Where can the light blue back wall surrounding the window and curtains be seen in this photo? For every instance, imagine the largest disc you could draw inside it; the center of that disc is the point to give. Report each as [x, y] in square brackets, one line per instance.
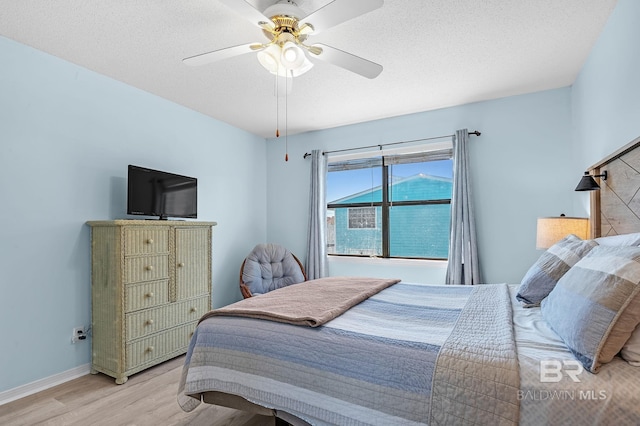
[518, 173]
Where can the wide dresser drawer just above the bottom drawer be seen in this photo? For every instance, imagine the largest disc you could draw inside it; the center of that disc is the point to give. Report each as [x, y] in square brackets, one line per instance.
[149, 321]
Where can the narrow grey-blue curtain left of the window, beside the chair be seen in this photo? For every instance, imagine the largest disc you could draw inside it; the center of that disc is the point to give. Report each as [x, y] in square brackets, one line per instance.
[316, 265]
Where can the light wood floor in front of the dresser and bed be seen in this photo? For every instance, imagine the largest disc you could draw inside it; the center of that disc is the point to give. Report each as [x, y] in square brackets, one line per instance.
[148, 398]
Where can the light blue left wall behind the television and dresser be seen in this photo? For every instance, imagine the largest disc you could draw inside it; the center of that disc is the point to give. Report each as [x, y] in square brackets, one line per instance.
[67, 135]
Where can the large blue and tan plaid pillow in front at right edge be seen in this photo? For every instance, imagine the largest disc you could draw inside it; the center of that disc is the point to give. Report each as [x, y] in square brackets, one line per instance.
[595, 306]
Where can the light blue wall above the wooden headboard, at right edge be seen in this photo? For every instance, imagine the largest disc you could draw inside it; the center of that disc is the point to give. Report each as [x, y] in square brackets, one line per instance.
[606, 95]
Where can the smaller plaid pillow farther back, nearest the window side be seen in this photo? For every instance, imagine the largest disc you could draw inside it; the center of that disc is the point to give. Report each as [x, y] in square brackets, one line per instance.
[550, 267]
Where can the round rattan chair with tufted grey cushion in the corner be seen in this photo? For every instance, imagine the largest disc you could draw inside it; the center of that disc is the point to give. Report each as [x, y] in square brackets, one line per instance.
[269, 267]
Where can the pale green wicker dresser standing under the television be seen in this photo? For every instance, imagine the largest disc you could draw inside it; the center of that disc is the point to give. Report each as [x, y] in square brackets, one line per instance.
[151, 283]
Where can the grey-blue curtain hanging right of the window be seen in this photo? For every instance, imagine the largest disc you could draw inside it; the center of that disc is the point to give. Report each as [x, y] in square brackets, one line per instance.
[463, 265]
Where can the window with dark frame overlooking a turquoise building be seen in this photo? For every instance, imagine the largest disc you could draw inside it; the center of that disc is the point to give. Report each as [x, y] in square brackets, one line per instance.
[390, 206]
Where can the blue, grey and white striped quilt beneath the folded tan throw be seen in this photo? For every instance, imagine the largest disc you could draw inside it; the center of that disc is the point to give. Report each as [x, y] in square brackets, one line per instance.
[409, 355]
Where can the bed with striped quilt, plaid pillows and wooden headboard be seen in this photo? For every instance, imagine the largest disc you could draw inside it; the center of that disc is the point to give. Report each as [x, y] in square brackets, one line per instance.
[386, 352]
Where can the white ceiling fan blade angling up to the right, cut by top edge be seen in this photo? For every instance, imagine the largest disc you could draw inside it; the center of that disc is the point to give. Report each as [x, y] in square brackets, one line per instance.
[339, 11]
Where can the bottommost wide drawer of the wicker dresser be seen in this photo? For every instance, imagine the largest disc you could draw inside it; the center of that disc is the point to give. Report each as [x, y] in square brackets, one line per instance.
[145, 350]
